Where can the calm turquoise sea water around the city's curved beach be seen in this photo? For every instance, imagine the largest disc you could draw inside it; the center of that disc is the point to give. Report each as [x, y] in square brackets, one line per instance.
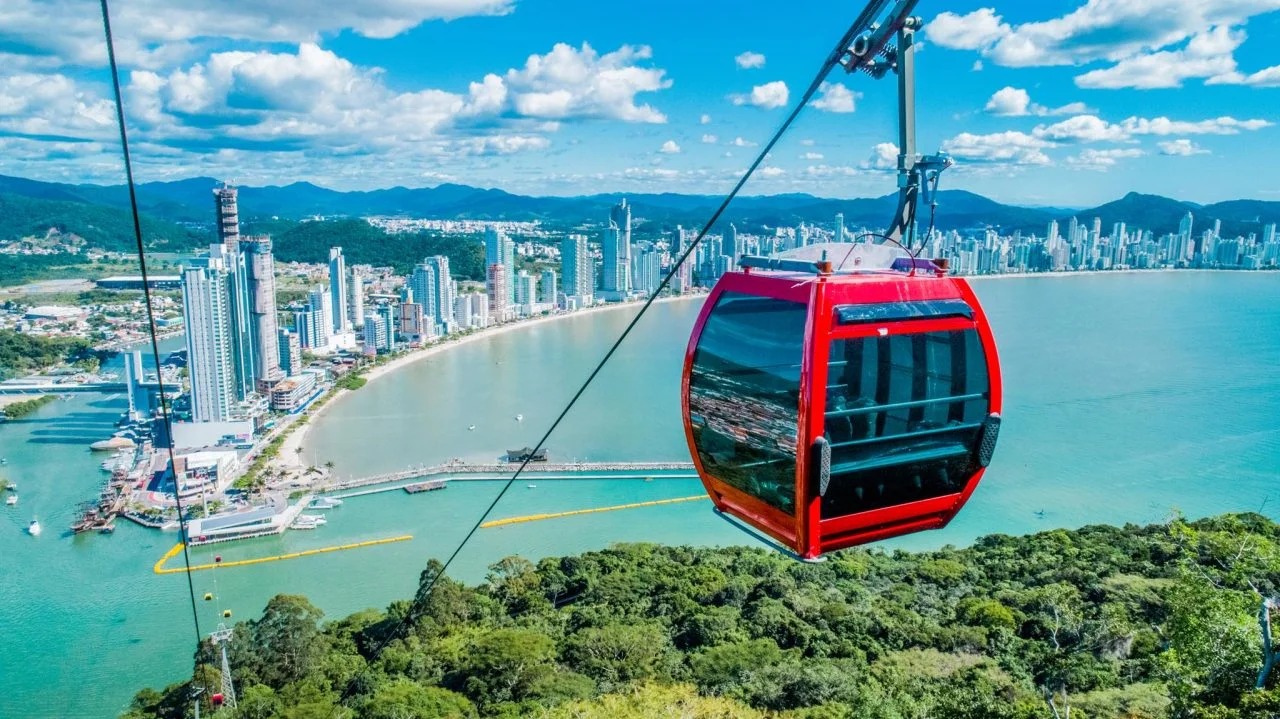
[1128, 397]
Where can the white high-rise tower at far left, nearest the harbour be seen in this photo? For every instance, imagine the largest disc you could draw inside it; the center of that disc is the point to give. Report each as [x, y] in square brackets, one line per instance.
[211, 359]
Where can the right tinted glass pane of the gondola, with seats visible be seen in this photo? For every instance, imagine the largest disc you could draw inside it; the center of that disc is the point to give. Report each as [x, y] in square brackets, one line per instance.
[904, 415]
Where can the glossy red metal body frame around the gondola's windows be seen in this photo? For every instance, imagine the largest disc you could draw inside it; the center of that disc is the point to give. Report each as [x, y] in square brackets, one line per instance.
[807, 533]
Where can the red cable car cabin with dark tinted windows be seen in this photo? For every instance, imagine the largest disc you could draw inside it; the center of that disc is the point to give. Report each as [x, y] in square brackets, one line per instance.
[831, 409]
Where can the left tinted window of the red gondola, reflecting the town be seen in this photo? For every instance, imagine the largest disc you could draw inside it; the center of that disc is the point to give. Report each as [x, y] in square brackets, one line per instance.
[744, 395]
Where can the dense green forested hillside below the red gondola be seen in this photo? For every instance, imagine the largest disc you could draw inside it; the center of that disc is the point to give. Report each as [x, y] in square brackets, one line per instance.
[1159, 621]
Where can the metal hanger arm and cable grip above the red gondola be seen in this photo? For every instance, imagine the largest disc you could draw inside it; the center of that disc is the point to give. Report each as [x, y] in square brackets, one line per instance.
[874, 54]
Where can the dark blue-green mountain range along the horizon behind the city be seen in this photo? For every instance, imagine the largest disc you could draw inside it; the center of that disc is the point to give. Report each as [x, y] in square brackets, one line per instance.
[190, 203]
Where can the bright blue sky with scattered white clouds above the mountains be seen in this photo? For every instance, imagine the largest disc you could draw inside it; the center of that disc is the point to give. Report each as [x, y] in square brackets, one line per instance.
[1067, 103]
